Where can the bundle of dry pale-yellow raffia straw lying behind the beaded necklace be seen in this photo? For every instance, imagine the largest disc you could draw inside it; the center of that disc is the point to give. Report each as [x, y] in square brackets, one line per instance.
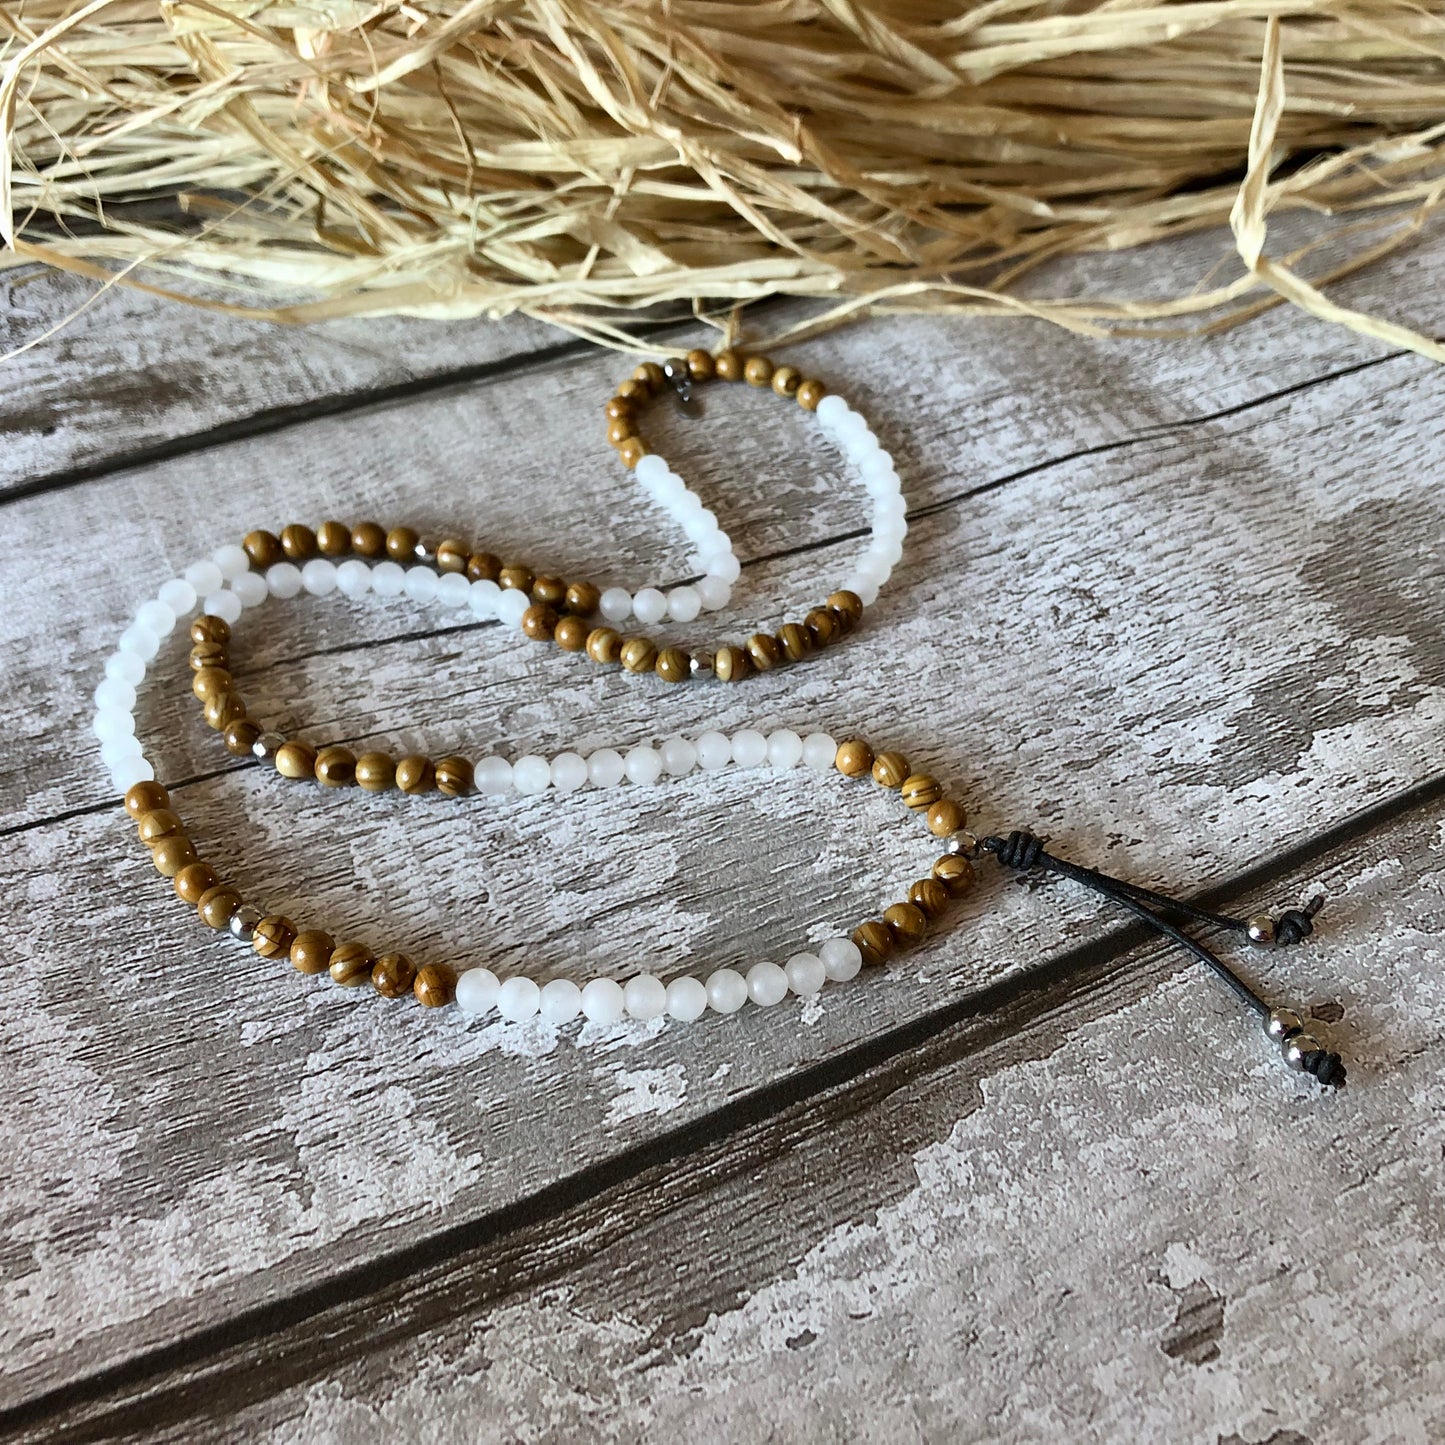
[585, 160]
